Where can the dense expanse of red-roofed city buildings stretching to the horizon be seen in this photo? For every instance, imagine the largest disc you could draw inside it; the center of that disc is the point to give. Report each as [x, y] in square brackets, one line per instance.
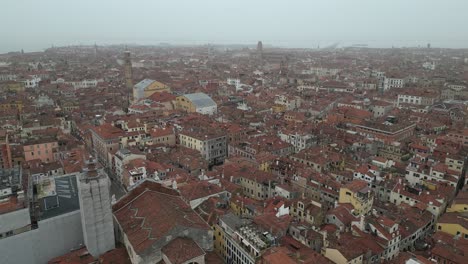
[240, 155]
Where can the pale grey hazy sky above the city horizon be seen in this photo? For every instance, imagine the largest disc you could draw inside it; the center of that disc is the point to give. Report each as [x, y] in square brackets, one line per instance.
[37, 24]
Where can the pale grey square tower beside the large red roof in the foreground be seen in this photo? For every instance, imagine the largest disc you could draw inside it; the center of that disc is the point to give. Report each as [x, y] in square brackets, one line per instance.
[96, 212]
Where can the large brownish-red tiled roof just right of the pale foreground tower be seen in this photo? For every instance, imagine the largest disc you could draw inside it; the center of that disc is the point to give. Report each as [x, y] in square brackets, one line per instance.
[150, 211]
